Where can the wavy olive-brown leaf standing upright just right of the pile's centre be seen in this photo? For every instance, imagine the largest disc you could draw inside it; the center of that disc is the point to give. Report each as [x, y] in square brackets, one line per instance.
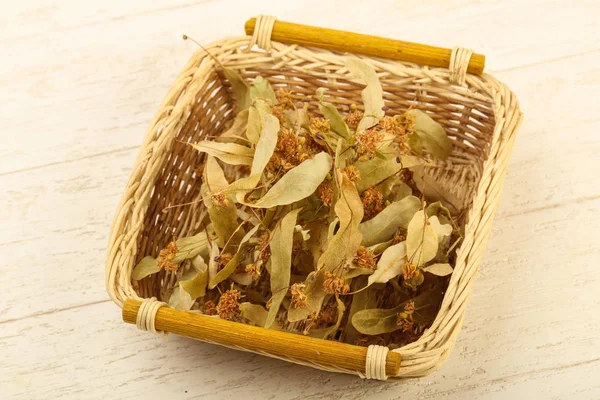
[344, 244]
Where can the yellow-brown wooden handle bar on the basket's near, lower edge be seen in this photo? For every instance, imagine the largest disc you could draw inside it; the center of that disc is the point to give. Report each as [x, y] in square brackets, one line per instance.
[304, 349]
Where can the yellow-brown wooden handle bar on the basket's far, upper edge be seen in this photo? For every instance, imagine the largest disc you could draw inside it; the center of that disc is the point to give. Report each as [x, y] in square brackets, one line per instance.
[331, 39]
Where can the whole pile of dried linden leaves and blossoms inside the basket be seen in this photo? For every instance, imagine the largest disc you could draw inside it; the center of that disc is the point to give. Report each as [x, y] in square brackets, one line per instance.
[313, 221]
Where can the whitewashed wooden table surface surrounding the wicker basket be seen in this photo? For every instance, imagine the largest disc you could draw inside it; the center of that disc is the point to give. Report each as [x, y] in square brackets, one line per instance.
[80, 81]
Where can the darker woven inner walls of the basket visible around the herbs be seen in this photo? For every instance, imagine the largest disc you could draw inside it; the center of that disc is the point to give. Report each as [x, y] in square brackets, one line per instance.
[466, 115]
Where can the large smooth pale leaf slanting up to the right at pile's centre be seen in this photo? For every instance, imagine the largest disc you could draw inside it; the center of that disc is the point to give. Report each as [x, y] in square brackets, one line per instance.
[298, 183]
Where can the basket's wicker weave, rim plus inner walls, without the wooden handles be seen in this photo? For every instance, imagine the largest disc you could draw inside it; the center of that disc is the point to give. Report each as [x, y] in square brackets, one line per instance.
[483, 118]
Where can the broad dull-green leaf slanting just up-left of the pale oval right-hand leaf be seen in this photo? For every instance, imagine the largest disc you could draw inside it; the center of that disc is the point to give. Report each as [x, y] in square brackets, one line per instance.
[385, 224]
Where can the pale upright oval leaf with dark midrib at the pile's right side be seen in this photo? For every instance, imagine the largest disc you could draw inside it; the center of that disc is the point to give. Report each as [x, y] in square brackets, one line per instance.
[421, 240]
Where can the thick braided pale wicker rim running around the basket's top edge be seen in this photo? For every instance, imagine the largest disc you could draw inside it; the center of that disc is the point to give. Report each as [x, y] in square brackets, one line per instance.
[431, 349]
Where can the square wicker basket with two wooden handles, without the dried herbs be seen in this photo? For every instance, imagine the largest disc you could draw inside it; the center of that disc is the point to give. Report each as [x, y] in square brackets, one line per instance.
[480, 115]
